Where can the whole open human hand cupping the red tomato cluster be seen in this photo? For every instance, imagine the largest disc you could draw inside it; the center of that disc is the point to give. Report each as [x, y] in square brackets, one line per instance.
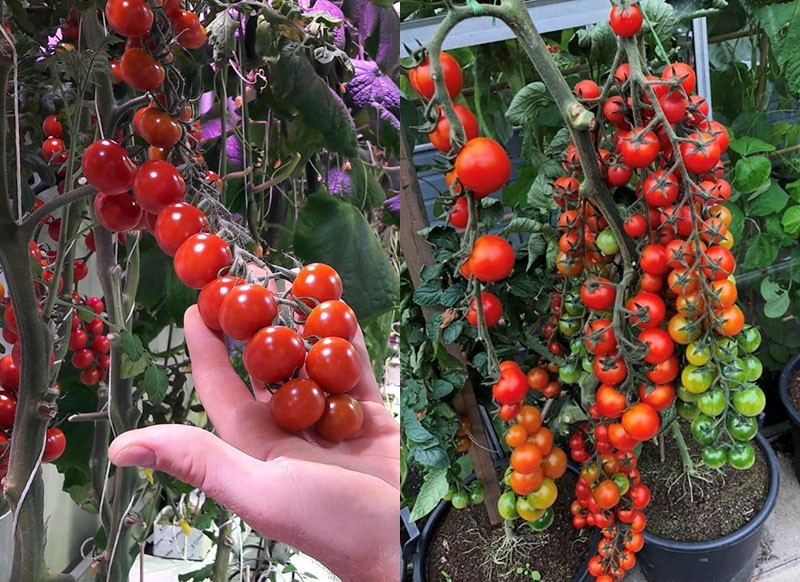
[337, 502]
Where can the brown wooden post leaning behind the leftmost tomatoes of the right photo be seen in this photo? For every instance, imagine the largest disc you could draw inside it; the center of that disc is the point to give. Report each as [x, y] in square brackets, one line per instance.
[417, 254]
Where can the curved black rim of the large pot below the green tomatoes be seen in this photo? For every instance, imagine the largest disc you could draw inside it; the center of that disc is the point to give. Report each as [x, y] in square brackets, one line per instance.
[741, 534]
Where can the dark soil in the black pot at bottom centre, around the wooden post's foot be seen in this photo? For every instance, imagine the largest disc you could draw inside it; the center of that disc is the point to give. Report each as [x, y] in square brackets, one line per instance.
[462, 540]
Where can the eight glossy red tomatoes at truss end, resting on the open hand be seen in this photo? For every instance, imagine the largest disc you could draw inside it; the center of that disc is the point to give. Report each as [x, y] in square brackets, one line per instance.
[274, 354]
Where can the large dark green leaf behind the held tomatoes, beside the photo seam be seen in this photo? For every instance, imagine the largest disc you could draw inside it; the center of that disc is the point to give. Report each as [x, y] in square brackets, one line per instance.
[371, 283]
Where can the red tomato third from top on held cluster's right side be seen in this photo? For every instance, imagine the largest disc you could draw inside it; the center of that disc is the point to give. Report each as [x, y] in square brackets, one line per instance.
[333, 363]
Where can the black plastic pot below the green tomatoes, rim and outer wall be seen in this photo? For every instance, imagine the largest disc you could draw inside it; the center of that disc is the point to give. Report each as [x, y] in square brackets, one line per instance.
[729, 559]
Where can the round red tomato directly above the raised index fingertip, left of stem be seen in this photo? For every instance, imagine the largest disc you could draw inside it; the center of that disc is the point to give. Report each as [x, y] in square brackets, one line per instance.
[200, 259]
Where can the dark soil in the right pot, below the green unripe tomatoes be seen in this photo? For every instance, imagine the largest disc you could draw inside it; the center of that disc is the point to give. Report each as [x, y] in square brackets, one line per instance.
[717, 503]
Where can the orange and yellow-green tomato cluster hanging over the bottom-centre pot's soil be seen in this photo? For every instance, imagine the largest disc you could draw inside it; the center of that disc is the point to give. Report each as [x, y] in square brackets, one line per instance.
[535, 464]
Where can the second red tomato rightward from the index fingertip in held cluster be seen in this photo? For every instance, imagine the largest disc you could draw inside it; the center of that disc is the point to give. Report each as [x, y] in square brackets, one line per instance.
[245, 309]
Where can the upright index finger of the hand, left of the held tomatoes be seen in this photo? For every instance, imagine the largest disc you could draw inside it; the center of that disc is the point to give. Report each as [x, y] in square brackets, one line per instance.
[217, 383]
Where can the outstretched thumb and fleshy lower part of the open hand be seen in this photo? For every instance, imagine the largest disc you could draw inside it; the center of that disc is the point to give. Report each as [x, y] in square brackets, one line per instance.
[300, 503]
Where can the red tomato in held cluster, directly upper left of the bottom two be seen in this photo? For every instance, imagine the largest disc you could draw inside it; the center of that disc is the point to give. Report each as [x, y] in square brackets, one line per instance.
[274, 354]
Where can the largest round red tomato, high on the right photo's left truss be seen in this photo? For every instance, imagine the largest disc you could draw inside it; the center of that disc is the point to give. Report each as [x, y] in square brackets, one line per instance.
[482, 166]
